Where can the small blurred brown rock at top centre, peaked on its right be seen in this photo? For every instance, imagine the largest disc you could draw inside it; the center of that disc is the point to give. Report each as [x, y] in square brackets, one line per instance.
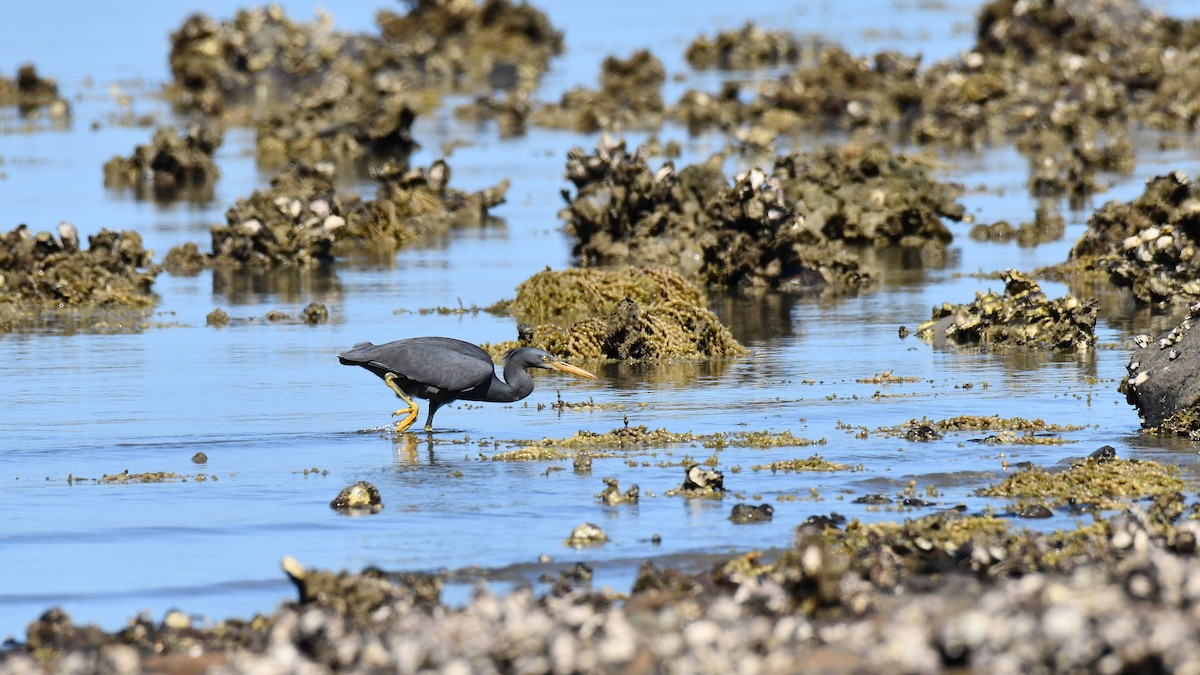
[631, 97]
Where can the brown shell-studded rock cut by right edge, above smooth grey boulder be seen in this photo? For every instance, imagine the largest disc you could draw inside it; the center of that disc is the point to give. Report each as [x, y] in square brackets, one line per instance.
[1149, 244]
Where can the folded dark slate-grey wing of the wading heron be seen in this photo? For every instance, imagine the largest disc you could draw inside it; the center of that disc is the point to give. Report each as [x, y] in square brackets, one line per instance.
[446, 363]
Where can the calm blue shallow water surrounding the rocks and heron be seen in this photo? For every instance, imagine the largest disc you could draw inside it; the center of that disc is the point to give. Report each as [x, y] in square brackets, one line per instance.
[286, 428]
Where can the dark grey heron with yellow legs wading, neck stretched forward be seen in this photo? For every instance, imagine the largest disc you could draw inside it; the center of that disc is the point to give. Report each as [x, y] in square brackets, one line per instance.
[443, 369]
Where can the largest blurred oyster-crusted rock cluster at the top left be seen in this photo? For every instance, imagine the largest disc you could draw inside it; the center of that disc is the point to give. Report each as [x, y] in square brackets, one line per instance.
[319, 94]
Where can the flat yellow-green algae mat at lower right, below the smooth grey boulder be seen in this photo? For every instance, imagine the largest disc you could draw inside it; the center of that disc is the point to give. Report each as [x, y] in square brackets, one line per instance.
[1105, 482]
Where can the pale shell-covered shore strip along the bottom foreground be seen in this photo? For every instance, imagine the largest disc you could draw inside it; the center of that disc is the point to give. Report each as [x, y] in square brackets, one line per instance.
[945, 593]
